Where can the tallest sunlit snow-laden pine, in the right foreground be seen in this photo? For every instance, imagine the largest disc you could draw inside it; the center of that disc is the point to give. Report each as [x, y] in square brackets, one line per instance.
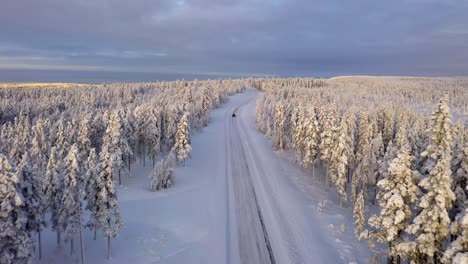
[431, 225]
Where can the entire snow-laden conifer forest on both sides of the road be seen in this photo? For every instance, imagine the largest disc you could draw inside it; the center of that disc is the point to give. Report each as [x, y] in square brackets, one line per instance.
[392, 150]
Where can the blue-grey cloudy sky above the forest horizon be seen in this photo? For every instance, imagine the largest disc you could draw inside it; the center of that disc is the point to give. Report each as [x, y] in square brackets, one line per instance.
[227, 37]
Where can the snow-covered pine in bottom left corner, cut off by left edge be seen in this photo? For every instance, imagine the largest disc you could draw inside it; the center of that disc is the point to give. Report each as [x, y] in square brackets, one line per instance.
[16, 245]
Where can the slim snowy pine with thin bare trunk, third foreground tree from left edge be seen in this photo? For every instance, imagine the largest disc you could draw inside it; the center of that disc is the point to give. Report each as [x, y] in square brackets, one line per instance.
[53, 189]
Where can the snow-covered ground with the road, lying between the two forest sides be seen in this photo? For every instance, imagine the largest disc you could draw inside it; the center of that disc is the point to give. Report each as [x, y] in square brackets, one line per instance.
[235, 201]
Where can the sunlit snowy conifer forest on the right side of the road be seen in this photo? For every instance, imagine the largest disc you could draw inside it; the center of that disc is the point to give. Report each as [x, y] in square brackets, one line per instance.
[395, 150]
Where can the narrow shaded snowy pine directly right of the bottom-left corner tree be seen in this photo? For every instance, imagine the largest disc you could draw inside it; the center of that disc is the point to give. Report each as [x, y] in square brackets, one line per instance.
[30, 186]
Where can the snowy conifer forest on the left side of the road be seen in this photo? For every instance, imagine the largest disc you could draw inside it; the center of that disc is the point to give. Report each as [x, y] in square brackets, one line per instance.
[63, 149]
